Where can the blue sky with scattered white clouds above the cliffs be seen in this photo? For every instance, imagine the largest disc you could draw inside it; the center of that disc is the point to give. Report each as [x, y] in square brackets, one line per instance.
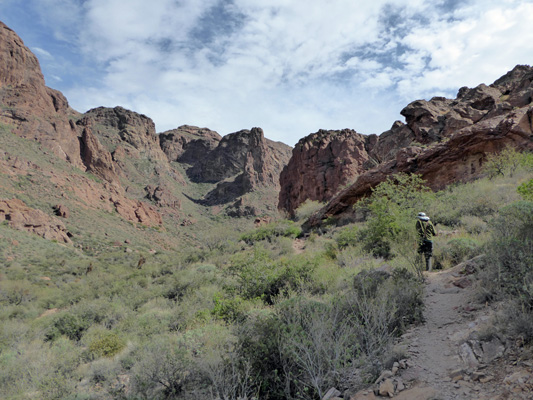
[291, 67]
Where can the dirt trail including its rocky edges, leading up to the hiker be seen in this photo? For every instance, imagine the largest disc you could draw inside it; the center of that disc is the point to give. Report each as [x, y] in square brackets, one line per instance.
[448, 358]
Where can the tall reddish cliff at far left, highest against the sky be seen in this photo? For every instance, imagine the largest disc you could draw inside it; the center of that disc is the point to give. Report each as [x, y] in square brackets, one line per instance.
[36, 111]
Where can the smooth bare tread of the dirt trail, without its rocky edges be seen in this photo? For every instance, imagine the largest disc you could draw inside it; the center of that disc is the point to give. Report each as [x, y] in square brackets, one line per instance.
[433, 347]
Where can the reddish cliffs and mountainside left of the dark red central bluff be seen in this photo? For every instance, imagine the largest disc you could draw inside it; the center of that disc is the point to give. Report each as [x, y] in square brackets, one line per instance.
[143, 176]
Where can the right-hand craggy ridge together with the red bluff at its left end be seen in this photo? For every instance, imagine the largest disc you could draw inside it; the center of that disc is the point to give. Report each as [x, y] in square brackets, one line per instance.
[444, 140]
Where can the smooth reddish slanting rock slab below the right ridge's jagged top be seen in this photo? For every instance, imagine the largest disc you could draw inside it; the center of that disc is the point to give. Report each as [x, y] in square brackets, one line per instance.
[457, 160]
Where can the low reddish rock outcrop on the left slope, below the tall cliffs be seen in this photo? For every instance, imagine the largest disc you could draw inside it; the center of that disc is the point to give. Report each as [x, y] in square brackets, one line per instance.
[24, 218]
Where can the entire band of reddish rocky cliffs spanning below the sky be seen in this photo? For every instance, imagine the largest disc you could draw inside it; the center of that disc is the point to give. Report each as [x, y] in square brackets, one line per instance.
[147, 177]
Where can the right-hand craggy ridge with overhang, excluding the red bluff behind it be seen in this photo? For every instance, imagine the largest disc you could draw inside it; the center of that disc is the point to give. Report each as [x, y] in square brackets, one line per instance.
[446, 141]
